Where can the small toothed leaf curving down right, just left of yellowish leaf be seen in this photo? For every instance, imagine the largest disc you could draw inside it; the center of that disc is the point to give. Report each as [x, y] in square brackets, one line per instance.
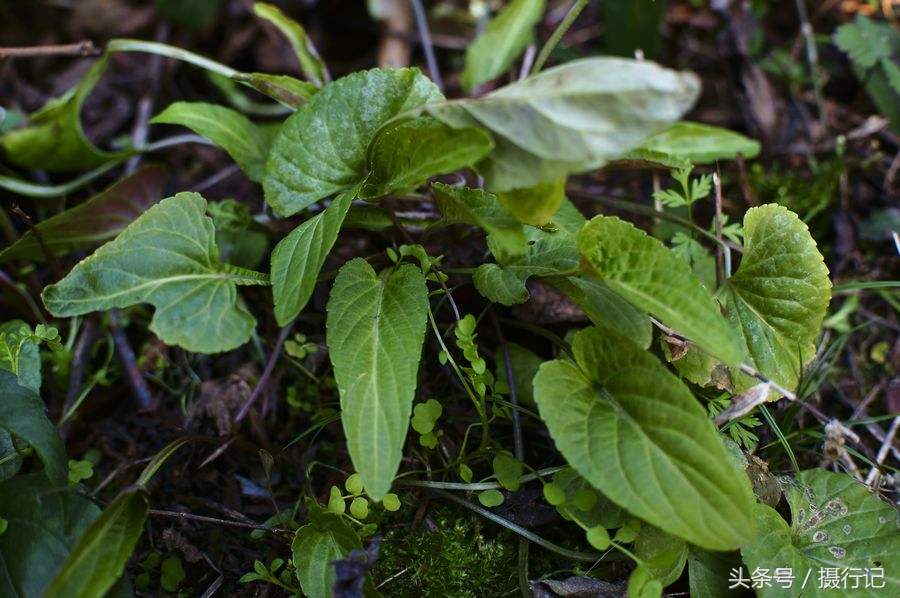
[464, 205]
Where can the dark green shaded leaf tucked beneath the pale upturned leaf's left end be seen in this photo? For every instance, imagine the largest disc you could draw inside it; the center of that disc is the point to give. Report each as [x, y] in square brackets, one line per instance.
[405, 154]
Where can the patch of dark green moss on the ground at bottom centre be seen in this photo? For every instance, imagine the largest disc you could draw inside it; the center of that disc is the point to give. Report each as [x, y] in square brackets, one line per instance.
[462, 558]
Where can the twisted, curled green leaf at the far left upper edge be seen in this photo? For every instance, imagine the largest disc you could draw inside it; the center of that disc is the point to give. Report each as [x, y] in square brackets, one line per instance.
[54, 140]
